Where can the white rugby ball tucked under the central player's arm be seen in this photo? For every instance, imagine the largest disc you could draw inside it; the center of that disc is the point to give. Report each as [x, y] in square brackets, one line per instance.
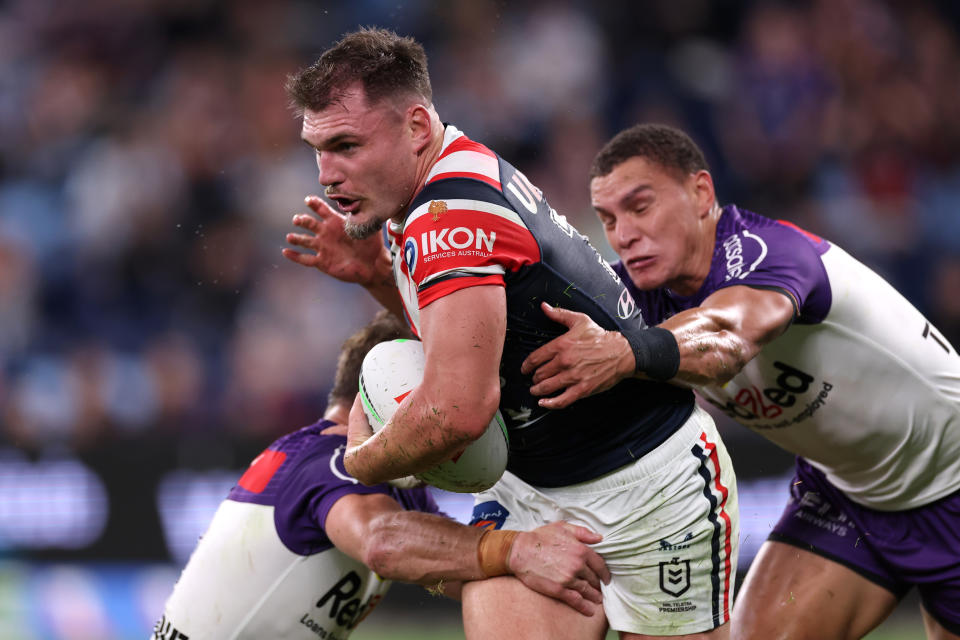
[390, 371]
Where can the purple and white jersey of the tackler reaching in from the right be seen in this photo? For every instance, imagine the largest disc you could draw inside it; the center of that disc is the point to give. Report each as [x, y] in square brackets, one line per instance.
[861, 385]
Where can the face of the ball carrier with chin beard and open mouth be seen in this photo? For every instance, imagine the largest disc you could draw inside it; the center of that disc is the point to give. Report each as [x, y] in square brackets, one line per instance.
[365, 160]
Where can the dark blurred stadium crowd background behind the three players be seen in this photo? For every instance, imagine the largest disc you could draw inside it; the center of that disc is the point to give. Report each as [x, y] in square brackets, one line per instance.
[153, 340]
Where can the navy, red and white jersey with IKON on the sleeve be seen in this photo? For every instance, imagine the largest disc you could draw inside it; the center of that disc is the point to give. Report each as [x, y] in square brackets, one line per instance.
[479, 221]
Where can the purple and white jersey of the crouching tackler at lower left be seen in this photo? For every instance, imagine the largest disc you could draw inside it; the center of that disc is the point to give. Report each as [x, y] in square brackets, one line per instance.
[265, 568]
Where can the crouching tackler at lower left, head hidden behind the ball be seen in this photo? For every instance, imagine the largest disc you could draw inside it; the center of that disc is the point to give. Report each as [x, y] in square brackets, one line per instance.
[300, 549]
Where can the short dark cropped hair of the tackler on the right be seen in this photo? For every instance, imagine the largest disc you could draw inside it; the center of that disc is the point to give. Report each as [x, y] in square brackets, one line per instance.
[666, 146]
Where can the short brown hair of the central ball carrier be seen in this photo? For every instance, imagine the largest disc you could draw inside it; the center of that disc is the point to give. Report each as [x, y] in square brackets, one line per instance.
[385, 63]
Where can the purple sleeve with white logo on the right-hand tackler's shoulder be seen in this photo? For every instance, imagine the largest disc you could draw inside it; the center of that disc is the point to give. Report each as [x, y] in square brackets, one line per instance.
[777, 256]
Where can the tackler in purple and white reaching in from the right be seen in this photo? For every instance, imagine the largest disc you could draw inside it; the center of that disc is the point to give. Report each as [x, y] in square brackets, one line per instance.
[792, 337]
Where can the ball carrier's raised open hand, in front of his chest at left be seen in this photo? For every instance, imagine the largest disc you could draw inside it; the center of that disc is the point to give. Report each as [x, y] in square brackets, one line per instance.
[331, 250]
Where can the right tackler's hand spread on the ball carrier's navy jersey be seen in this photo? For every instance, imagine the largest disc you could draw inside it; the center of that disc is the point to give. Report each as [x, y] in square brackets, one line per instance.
[583, 361]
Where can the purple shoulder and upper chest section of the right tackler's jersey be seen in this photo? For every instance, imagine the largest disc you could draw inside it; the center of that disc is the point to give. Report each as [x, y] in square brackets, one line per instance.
[758, 252]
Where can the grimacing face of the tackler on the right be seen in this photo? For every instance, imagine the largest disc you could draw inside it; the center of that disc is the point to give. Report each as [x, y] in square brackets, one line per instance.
[654, 220]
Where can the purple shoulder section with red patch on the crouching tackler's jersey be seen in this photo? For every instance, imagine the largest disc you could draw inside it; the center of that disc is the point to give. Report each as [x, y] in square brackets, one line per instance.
[302, 475]
